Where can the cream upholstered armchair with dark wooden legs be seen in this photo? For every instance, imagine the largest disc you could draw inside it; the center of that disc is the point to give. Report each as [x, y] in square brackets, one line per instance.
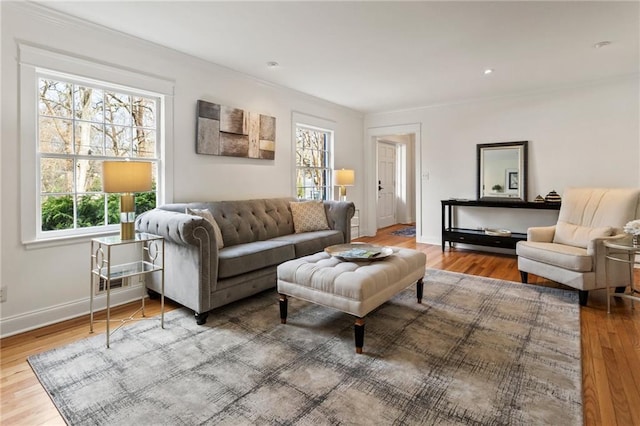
[572, 251]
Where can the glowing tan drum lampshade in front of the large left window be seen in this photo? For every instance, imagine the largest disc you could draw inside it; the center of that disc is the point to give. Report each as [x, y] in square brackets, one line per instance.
[126, 176]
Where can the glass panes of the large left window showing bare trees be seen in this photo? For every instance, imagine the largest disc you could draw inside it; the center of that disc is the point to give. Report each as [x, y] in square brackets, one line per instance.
[78, 128]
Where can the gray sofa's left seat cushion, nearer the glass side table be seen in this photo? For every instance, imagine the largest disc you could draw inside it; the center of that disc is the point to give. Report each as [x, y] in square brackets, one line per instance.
[243, 258]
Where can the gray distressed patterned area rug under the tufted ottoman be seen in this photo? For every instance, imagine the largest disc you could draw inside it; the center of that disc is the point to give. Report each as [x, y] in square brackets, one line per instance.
[477, 351]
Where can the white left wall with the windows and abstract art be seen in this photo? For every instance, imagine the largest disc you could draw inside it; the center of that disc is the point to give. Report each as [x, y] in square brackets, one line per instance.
[47, 284]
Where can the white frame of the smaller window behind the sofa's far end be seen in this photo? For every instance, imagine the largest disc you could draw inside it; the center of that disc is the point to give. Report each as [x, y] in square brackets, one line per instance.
[300, 120]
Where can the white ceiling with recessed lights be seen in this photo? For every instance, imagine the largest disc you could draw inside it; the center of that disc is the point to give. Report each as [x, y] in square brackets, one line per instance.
[383, 56]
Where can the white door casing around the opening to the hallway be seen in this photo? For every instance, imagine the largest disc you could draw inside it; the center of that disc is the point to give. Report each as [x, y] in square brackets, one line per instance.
[371, 173]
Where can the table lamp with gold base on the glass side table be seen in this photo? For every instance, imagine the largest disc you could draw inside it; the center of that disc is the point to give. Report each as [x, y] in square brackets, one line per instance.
[125, 178]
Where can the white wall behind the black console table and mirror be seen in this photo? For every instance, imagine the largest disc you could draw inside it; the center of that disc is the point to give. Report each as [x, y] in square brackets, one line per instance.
[580, 136]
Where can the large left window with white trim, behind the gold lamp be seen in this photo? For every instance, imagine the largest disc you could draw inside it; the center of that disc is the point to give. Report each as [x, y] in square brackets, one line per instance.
[76, 113]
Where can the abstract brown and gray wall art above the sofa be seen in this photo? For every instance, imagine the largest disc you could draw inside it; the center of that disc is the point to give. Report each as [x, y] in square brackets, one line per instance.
[234, 132]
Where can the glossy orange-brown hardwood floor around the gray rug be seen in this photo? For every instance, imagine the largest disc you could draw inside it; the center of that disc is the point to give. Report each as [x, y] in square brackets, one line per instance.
[610, 344]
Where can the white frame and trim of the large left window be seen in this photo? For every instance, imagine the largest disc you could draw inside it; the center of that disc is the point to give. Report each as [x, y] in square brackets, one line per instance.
[36, 63]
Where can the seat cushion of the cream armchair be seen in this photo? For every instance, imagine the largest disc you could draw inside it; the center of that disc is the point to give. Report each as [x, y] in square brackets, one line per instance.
[563, 256]
